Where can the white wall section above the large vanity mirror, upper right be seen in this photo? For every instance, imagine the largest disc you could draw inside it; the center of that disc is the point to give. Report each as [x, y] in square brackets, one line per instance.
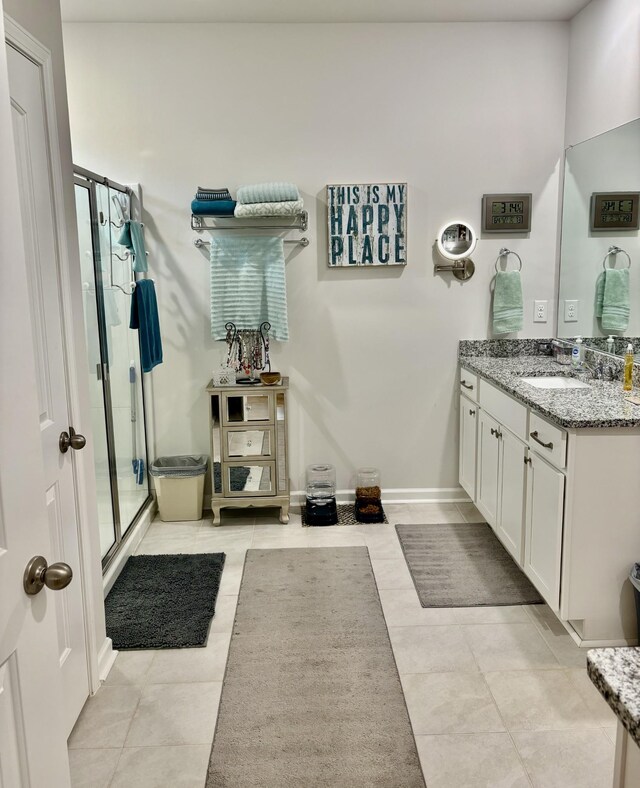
[604, 68]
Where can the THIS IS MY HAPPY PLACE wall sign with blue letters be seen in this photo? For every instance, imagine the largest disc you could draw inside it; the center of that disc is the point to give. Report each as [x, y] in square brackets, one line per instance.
[367, 224]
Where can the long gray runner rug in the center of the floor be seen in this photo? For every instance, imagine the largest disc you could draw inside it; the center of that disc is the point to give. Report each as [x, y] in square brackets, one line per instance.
[311, 695]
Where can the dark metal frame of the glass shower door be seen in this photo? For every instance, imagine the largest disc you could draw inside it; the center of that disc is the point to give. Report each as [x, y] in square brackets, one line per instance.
[88, 180]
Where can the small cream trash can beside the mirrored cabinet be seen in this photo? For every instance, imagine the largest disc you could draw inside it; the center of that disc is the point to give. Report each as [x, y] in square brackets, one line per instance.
[179, 483]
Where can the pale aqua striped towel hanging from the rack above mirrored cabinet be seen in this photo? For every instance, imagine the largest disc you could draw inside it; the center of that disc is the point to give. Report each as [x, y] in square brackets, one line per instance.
[248, 285]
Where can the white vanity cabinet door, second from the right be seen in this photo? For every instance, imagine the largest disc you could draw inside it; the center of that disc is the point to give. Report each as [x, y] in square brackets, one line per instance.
[512, 489]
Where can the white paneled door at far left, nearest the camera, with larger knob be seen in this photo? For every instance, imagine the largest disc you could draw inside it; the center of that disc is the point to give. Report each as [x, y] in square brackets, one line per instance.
[32, 730]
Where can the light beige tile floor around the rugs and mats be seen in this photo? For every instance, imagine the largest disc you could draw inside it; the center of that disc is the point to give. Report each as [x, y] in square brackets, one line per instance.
[498, 697]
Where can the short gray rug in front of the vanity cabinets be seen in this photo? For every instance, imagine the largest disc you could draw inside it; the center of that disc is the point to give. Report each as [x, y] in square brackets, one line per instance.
[463, 565]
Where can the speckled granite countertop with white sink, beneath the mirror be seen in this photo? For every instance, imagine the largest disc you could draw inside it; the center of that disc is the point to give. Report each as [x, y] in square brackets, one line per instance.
[602, 405]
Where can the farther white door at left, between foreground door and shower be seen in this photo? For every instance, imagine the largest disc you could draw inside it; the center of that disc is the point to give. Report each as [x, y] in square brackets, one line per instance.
[35, 183]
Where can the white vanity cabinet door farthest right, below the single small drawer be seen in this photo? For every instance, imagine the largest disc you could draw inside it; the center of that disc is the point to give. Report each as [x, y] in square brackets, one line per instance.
[543, 543]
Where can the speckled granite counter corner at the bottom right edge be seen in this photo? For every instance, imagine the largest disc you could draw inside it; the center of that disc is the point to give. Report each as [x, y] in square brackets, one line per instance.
[616, 674]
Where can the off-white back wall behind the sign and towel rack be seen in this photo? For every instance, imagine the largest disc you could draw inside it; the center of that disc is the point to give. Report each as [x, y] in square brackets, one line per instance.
[455, 110]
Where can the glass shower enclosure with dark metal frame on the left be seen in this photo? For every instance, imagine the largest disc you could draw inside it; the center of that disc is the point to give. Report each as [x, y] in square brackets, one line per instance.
[115, 377]
